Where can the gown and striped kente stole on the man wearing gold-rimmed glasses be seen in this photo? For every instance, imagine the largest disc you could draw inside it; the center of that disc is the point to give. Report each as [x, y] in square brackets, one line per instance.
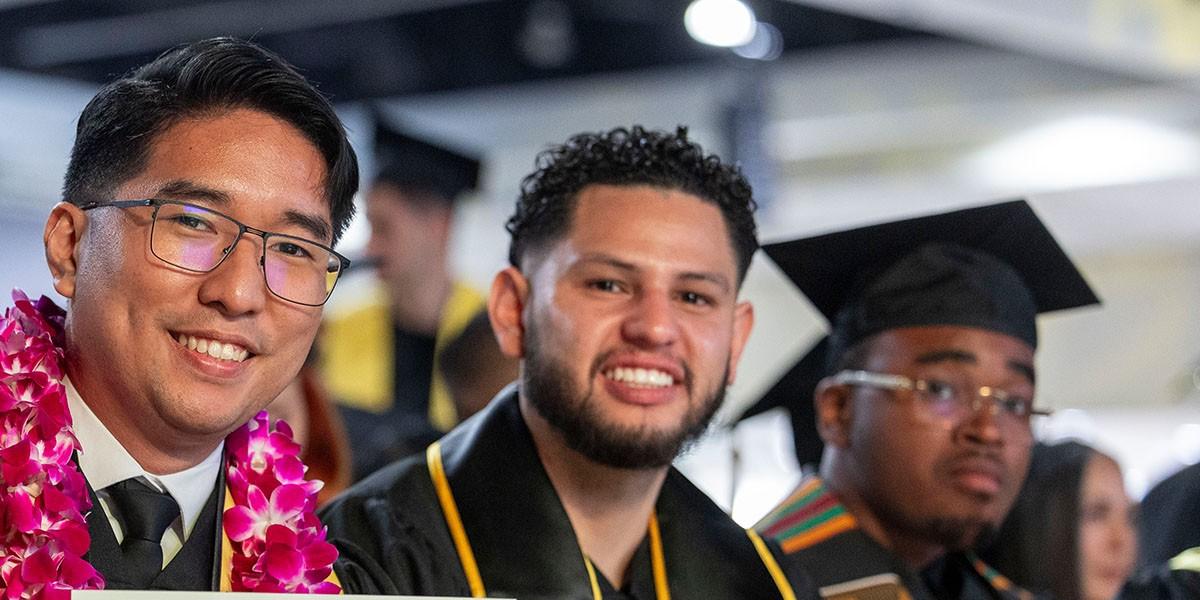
[821, 542]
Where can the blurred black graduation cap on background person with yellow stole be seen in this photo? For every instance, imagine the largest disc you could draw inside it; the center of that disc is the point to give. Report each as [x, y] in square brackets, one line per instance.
[412, 164]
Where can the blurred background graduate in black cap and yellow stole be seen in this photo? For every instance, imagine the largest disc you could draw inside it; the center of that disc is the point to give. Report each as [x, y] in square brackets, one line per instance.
[379, 357]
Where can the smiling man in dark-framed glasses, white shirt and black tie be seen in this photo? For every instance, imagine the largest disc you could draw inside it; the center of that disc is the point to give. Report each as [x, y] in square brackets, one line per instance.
[194, 244]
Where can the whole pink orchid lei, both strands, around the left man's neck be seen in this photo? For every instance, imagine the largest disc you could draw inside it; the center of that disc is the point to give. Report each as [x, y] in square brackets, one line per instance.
[279, 543]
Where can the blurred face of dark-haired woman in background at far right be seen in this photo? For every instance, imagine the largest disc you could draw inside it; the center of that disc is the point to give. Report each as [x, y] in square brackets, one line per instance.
[1107, 537]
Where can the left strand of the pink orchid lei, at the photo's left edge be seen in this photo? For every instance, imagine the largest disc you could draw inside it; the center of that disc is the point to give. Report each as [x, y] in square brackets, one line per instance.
[44, 535]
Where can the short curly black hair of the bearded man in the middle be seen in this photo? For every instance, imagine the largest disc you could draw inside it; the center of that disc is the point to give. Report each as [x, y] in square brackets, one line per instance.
[629, 158]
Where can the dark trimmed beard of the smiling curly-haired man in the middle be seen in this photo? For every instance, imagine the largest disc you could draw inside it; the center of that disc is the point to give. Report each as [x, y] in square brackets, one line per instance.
[578, 416]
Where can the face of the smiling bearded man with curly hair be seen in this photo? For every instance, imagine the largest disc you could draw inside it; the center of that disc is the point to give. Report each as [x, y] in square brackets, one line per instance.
[632, 325]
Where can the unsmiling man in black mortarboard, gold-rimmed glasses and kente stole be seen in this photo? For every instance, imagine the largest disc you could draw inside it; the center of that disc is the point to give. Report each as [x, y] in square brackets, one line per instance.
[926, 411]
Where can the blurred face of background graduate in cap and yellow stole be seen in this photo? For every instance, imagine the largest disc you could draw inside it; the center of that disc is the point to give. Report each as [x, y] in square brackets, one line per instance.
[409, 237]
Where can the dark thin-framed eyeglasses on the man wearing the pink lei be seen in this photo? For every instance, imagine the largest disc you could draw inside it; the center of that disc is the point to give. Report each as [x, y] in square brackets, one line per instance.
[199, 239]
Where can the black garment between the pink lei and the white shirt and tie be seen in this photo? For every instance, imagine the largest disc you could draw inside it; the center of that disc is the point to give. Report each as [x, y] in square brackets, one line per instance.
[197, 567]
